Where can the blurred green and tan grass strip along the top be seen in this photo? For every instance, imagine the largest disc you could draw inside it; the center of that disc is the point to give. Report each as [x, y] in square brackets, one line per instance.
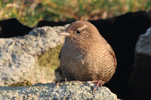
[30, 12]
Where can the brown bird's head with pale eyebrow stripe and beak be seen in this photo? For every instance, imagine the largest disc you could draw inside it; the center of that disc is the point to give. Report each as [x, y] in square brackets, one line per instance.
[80, 31]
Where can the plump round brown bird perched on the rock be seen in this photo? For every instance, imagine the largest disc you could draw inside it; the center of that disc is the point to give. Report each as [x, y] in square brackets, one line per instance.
[86, 55]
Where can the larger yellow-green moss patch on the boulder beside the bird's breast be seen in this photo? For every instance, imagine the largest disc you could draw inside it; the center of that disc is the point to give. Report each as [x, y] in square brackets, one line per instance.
[50, 58]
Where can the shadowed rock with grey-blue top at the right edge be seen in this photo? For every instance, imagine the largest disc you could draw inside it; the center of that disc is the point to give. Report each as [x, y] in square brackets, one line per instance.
[140, 82]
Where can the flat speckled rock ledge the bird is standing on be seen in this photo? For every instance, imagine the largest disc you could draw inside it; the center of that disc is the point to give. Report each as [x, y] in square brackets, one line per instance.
[69, 91]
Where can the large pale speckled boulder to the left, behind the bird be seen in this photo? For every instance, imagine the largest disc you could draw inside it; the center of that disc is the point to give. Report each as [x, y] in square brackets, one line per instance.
[19, 56]
